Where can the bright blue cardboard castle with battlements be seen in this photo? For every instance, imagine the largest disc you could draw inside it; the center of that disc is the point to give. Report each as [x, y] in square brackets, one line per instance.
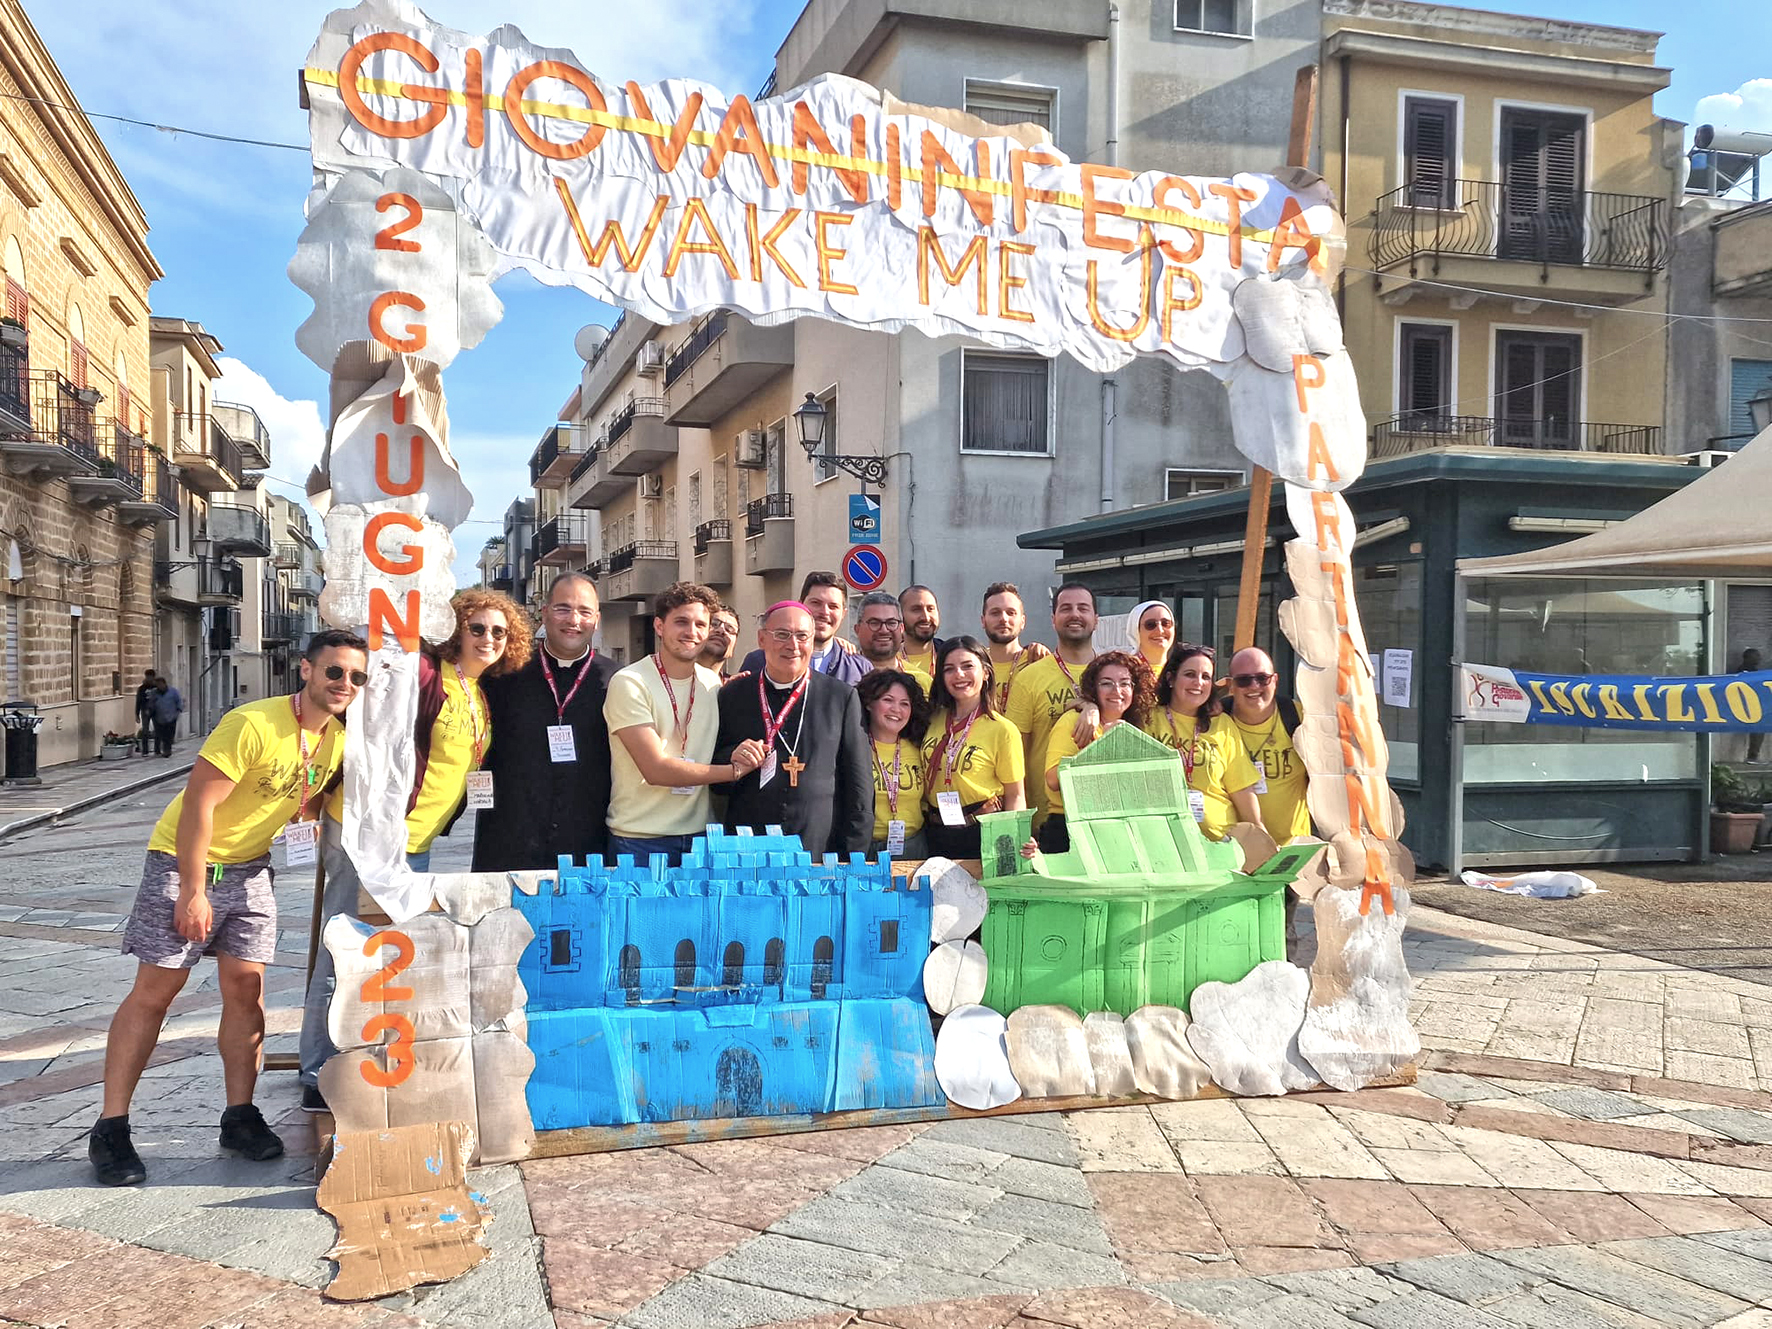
[747, 983]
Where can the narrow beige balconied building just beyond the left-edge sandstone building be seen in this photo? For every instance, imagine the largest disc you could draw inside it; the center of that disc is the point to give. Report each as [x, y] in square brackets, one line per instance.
[214, 559]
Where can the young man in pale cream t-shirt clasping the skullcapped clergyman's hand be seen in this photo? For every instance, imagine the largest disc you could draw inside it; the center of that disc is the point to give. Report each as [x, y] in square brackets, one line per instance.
[665, 715]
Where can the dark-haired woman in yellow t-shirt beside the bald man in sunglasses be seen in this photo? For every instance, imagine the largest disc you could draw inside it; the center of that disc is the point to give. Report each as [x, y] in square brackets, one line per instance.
[1220, 777]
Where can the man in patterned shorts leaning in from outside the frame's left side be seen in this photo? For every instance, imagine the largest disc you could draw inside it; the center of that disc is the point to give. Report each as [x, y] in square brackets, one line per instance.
[206, 887]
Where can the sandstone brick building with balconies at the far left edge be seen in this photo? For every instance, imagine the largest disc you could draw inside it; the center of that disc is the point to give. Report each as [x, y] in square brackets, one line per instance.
[82, 490]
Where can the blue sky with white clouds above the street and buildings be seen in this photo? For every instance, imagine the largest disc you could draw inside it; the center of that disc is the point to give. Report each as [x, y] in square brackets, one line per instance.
[226, 217]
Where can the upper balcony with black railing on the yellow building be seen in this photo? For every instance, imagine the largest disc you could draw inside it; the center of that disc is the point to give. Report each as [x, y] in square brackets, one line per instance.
[1449, 229]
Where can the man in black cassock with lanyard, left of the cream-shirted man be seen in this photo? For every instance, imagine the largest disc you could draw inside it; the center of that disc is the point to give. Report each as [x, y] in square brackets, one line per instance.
[550, 754]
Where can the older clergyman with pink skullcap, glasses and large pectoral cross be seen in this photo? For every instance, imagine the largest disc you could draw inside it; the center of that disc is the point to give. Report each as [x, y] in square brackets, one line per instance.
[816, 781]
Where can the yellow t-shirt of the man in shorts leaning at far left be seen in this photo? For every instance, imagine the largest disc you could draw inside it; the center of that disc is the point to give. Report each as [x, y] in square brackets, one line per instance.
[258, 749]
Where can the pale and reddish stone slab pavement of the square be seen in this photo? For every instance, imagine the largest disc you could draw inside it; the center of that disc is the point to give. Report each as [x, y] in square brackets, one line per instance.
[1589, 1144]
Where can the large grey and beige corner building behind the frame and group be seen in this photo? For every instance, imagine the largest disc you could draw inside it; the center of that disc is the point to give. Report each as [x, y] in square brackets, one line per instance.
[681, 455]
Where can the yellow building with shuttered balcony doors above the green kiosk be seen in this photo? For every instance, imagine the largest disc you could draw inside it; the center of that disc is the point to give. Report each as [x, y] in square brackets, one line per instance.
[1509, 190]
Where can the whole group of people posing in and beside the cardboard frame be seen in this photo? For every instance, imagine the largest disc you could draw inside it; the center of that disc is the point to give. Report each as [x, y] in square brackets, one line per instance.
[896, 743]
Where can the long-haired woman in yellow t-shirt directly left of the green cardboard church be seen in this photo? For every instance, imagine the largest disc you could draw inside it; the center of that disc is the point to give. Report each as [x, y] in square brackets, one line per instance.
[972, 758]
